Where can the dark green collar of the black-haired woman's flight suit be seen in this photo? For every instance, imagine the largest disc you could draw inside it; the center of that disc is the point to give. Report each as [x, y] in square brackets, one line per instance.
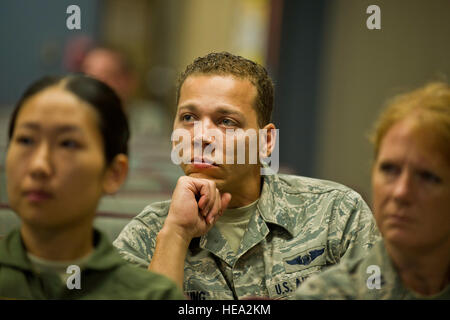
[13, 253]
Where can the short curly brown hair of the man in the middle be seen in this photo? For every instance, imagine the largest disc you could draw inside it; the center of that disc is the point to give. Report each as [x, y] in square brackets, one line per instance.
[225, 63]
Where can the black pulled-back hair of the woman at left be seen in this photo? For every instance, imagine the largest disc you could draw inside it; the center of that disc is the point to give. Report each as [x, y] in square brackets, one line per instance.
[113, 122]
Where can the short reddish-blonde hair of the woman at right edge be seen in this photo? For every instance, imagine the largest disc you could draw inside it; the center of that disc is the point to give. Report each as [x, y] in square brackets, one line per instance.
[428, 105]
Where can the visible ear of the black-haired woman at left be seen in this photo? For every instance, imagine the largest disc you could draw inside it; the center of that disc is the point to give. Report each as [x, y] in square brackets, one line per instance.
[115, 174]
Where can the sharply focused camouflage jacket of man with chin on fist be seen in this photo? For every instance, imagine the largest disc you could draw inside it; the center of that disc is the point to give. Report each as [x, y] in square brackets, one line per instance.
[301, 225]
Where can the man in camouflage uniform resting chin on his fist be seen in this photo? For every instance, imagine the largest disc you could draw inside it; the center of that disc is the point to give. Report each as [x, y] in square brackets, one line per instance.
[279, 229]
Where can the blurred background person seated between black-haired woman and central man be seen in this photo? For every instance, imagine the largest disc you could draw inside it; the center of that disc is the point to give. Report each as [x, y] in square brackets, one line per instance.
[151, 169]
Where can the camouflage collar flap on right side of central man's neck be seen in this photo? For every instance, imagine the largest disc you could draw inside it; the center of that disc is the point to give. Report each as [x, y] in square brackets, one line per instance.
[272, 204]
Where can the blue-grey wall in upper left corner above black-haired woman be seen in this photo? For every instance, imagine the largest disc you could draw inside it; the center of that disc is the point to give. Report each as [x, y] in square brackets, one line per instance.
[33, 35]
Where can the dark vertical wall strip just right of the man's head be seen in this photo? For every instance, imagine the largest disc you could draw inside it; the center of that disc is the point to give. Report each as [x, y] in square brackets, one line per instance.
[296, 83]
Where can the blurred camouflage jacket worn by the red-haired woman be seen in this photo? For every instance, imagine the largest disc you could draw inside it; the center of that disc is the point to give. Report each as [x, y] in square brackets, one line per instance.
[356, 279]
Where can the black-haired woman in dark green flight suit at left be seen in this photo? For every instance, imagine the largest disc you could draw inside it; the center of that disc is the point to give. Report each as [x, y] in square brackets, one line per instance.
[67, 147]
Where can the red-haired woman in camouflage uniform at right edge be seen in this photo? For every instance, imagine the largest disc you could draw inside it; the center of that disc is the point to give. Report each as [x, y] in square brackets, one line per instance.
[411, 203]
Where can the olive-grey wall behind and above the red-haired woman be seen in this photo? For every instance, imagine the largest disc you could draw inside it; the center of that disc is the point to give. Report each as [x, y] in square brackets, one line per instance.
[361, 68]
